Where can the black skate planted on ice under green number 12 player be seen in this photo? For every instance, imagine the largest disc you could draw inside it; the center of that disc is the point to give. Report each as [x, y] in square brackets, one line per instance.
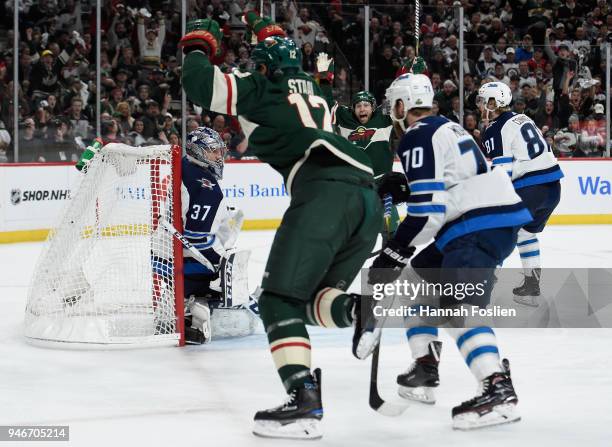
[298, 418]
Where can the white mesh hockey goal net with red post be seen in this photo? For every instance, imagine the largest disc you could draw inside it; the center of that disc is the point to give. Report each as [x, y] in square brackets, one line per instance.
[109, 274]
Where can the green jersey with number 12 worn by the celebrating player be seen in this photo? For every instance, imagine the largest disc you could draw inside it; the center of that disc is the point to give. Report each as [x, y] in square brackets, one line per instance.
[286, 121]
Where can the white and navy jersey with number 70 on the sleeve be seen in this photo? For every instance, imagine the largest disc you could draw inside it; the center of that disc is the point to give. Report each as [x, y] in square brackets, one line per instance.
[452, 190]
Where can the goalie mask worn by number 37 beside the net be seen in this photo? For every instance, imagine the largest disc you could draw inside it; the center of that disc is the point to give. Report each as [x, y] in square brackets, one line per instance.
[206, 148]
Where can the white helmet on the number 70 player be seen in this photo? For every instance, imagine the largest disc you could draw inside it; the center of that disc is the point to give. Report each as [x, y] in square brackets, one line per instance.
[415, 91]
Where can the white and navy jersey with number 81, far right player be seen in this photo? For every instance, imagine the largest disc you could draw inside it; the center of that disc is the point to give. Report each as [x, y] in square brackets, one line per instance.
[515, 144]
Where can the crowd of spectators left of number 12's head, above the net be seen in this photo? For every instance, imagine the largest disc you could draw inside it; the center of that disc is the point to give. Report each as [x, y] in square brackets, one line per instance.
[140, 95]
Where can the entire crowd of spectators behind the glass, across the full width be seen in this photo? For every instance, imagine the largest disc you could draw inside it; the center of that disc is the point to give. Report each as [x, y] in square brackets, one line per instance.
[550, 53]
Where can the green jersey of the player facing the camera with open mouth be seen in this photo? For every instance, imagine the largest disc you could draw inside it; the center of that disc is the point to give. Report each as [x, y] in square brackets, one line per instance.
[372, 137]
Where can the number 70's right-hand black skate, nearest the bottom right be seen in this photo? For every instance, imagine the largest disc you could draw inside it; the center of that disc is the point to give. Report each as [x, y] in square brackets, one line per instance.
[495, 406]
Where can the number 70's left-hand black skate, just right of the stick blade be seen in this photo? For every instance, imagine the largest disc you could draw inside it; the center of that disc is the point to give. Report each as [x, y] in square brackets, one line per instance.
[419, 381]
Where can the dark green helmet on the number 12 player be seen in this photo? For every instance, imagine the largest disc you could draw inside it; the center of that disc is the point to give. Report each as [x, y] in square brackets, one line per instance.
[277, 54]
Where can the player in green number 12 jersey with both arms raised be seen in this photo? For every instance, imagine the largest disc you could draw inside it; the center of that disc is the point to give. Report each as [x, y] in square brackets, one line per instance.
[332, 221]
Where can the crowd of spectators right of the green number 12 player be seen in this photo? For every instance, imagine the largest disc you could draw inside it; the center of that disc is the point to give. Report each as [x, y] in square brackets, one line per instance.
[551, 53]
